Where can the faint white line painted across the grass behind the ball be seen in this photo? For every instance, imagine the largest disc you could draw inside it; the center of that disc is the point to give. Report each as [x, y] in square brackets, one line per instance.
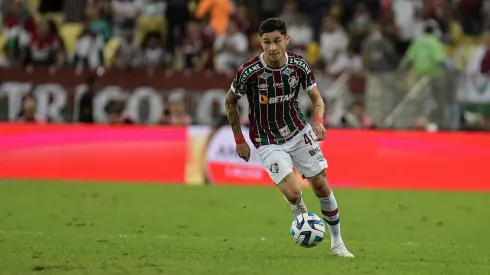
[250, 239]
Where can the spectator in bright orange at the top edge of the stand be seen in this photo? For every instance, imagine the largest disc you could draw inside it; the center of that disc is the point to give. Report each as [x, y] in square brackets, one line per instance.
[219, 12]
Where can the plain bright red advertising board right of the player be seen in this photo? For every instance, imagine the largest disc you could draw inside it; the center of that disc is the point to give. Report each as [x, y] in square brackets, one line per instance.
[408, 160]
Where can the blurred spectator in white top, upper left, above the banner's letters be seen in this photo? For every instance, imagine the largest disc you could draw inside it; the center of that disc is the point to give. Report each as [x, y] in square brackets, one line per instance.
[89, 50]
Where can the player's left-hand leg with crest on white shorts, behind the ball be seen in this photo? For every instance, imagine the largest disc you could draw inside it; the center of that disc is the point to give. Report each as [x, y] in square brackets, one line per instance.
[279, 165]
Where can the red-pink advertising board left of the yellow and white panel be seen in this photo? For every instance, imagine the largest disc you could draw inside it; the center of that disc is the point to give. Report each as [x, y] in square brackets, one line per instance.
[93, 153]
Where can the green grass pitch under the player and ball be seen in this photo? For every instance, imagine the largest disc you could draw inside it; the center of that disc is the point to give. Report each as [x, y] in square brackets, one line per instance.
[72, 228]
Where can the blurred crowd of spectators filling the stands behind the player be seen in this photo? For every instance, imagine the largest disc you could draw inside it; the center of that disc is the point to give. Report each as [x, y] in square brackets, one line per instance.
[393, 43]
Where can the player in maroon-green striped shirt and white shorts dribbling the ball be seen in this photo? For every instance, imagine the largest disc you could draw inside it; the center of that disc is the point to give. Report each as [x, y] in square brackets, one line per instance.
[271, 83]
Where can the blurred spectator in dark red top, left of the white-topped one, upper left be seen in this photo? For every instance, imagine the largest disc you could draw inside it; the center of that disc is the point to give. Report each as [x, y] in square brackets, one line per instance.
[43, 48]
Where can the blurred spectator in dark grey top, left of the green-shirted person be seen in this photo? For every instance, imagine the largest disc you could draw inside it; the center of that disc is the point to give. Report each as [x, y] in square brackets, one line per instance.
[380, 60]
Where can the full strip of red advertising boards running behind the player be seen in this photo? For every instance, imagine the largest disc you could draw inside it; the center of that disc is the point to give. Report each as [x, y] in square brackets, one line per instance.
[357, 159]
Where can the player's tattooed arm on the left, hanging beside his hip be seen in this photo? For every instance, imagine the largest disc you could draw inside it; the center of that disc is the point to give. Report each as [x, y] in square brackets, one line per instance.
[231, 105]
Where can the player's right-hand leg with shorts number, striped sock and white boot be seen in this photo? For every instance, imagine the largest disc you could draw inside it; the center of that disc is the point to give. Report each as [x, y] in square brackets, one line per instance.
[310, 162]
